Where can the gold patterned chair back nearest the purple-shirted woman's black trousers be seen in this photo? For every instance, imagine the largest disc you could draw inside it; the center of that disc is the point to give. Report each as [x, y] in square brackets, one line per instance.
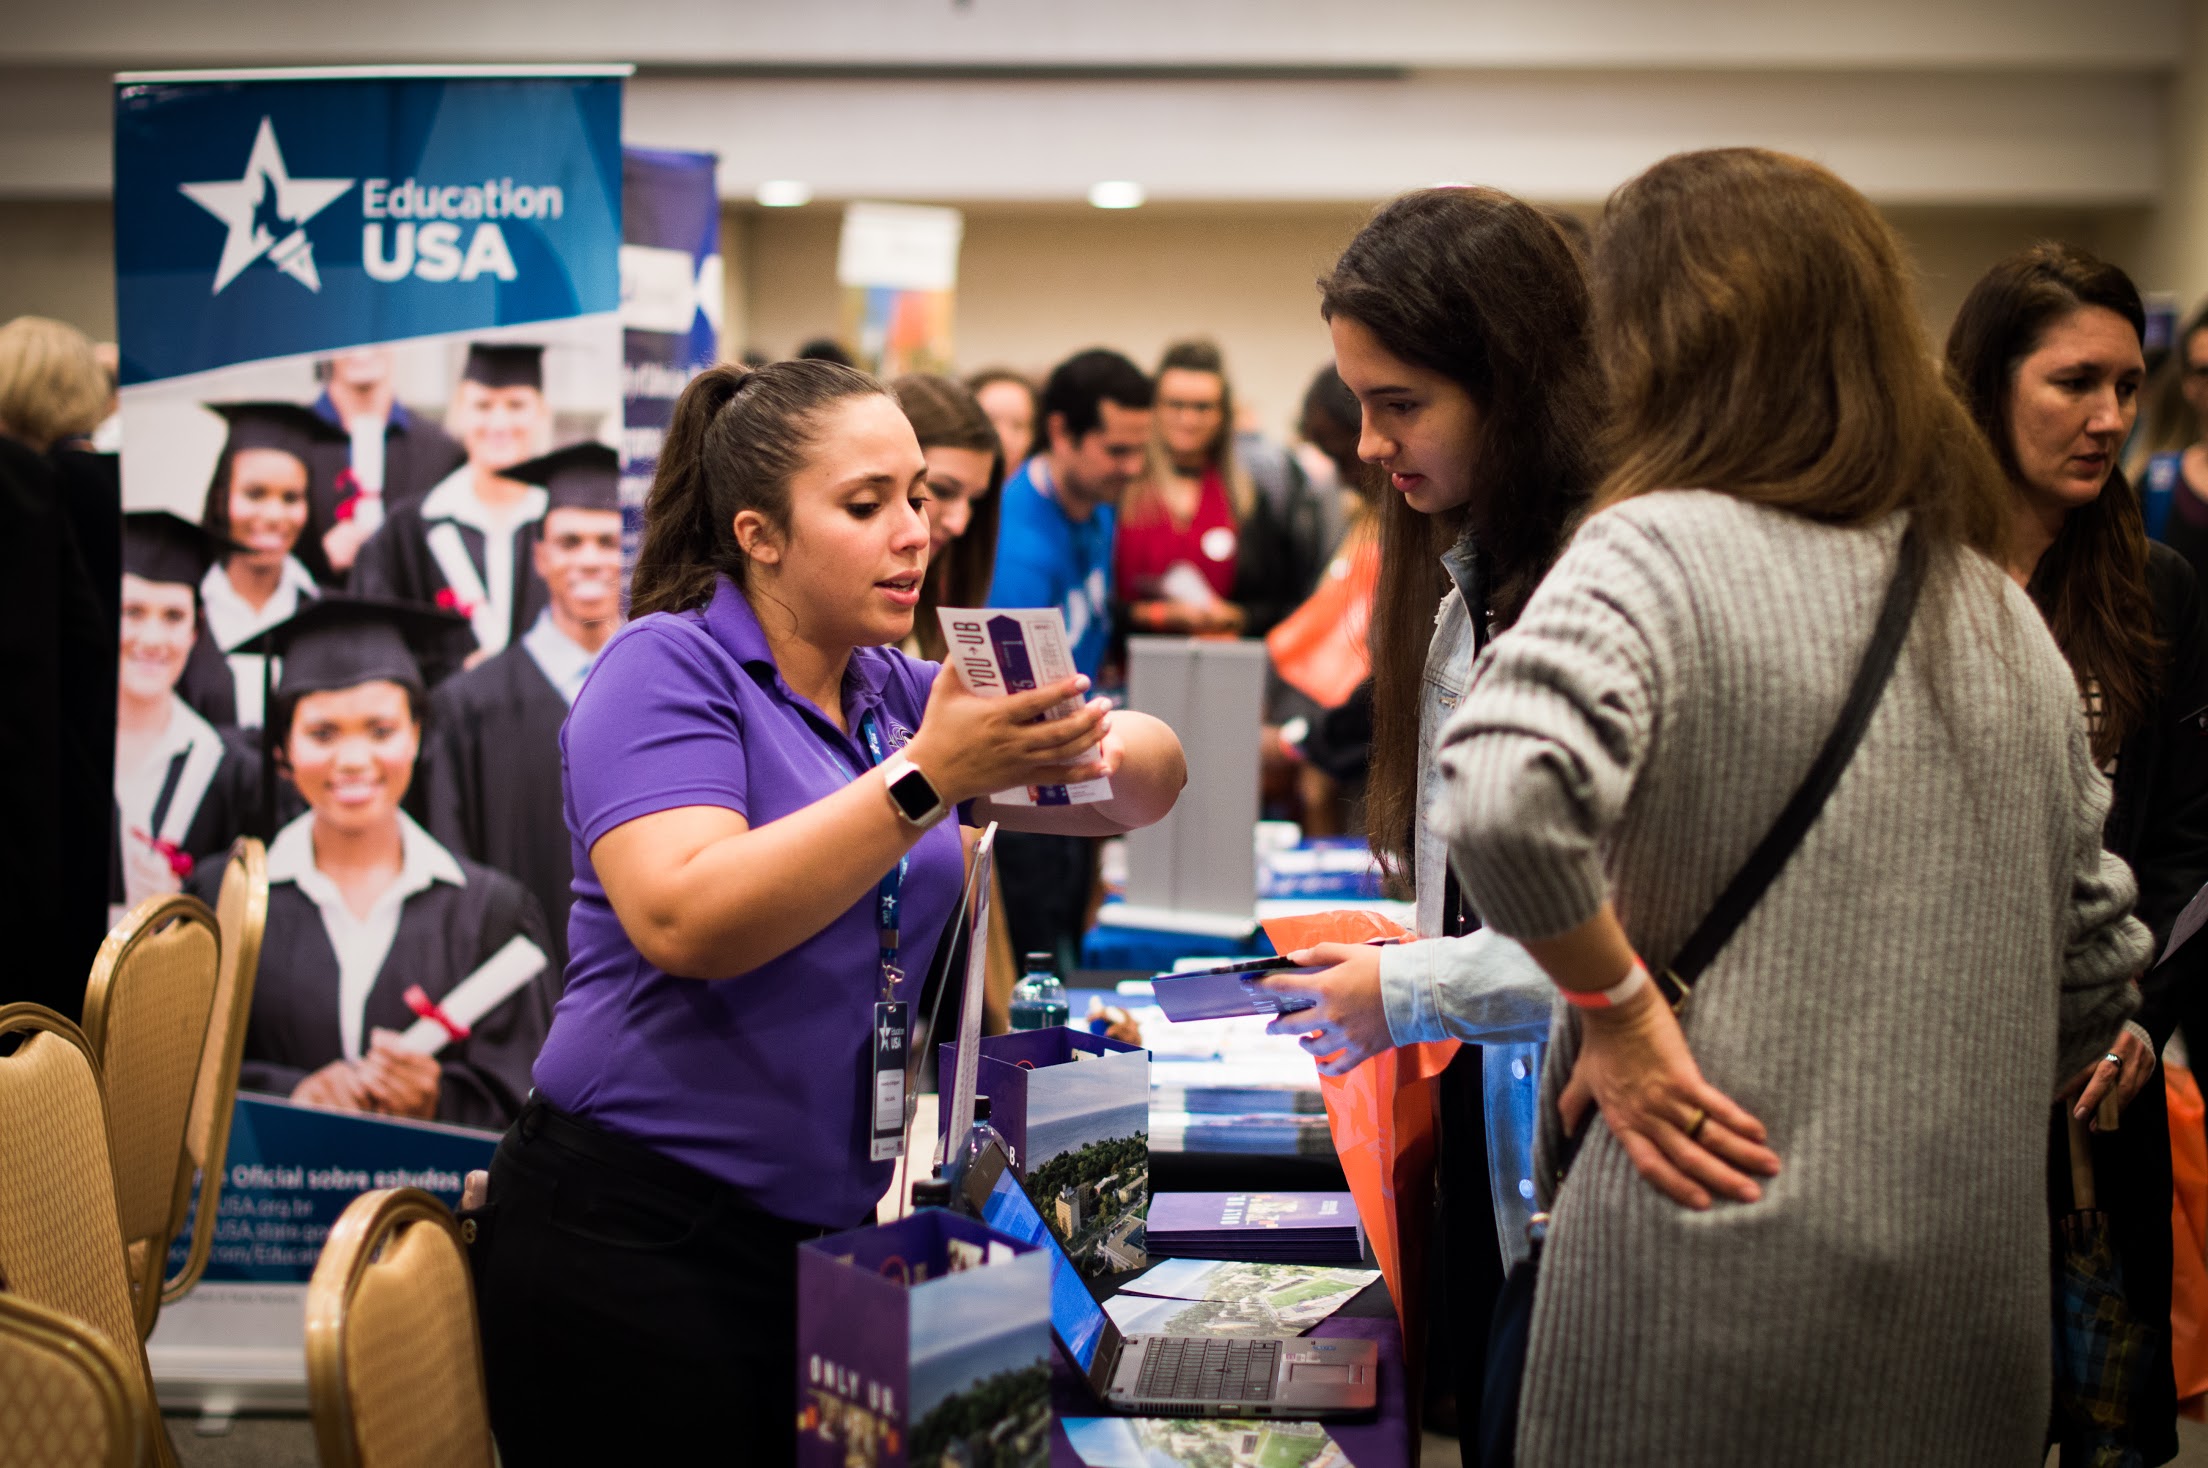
[394, 1368]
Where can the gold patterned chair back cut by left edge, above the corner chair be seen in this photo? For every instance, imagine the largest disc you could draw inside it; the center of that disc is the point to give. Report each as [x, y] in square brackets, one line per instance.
[61, 1235]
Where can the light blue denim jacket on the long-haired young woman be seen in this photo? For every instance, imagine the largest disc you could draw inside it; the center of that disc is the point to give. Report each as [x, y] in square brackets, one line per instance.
[1480, 988]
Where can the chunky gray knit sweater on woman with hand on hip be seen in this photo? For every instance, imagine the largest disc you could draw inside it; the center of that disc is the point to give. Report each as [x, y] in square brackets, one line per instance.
[1944, 946]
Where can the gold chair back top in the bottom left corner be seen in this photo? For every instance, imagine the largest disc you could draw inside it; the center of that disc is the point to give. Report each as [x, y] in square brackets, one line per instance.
[65, 1394]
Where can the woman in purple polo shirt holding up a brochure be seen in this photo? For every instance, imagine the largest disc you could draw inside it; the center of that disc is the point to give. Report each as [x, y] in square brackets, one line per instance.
[750, 772]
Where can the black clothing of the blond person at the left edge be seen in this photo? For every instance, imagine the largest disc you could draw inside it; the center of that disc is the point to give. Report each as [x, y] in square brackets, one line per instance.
[56, 738]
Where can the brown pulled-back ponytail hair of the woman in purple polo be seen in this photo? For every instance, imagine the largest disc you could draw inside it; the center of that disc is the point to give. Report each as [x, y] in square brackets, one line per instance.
[734, 443]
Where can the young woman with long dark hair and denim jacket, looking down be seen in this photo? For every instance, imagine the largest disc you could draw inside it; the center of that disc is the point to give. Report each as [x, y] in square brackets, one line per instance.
[1461, 323]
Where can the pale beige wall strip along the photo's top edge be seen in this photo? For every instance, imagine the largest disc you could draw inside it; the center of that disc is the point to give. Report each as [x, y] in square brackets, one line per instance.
[1904, 34]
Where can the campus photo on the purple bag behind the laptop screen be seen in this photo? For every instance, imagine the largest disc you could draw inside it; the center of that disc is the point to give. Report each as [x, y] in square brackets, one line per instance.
[1090, 1160]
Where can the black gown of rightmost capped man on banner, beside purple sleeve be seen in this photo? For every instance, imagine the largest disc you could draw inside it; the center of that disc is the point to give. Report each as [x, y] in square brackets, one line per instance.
[496, 785]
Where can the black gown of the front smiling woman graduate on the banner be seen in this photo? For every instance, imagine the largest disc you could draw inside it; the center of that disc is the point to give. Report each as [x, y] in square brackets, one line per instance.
[445, 935]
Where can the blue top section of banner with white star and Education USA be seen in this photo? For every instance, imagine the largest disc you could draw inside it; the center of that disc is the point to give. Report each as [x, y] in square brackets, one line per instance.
[295, 215]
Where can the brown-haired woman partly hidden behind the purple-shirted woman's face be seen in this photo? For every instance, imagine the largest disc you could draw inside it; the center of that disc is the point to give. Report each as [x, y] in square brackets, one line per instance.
[966, 469]
